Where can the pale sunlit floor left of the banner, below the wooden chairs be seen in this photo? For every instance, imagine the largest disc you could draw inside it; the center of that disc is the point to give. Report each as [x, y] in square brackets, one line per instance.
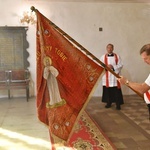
[19, 126]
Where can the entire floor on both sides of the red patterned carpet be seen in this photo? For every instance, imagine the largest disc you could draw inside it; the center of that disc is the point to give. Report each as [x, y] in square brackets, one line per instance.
[128, 129]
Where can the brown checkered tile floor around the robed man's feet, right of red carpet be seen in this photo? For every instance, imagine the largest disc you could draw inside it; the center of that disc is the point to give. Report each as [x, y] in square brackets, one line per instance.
[129, 128]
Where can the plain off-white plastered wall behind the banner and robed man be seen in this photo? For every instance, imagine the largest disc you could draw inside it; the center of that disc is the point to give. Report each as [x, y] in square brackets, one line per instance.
[126, 25]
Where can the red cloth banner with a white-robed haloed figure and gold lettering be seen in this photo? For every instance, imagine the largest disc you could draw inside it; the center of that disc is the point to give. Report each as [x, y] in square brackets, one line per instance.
[66, 78]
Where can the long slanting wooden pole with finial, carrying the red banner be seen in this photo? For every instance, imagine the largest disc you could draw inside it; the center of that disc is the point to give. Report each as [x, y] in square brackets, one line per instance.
[86, 51]
